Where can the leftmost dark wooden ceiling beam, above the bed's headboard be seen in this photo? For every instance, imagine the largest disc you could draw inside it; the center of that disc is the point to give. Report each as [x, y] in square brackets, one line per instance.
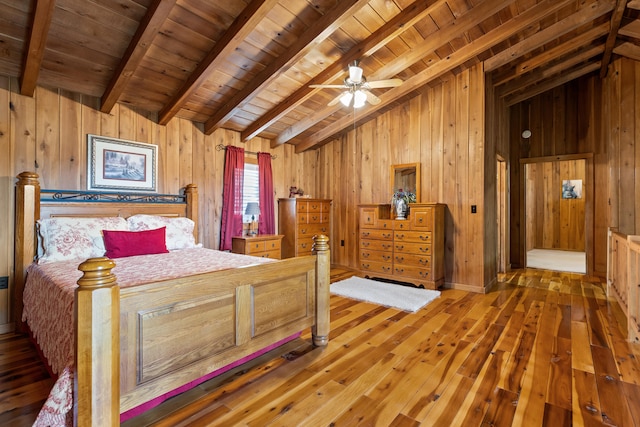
[42, 16]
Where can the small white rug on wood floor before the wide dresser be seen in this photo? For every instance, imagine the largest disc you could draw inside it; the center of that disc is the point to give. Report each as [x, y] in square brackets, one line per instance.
[386, 294]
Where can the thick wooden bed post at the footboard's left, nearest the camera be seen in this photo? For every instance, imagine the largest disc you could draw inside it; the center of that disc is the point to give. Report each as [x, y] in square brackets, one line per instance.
[97, 378]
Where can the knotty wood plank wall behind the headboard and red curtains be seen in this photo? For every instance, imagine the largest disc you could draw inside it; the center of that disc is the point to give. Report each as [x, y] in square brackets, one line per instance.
[47, 134]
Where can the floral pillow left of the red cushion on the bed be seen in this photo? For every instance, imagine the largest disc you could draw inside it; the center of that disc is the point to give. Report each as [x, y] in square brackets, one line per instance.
[67, 238]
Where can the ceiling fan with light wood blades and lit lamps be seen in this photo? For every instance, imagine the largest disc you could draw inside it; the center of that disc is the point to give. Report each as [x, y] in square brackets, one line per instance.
[357, 88]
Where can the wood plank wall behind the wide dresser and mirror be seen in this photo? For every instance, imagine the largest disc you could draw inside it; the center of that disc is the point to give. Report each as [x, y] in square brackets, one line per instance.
[443, 129]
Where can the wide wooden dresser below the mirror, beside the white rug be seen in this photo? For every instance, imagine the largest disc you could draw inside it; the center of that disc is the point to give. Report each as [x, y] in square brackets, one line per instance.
[409, 250]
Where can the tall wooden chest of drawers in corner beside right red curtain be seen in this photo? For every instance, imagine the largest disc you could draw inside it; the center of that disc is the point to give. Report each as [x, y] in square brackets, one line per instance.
[299, 219]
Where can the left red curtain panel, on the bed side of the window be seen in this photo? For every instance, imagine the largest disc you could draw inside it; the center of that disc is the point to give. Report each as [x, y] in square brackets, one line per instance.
[232, 196]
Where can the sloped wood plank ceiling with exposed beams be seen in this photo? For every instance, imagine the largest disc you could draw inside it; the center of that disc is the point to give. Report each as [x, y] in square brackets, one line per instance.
[247, 65]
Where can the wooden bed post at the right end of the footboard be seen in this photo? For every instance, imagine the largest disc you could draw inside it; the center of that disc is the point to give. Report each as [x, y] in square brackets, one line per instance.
[320, 330]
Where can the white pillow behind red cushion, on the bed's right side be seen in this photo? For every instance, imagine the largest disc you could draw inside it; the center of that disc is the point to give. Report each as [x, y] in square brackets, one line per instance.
[179, 229]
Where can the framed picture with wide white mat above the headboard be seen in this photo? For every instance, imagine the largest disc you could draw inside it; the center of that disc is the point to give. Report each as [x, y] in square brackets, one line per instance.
[121, 165]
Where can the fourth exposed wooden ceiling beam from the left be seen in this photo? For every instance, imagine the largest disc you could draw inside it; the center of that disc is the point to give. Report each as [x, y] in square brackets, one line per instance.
[320, 30]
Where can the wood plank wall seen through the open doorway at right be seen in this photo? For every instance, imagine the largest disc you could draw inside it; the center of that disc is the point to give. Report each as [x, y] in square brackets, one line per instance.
[556, 223]
